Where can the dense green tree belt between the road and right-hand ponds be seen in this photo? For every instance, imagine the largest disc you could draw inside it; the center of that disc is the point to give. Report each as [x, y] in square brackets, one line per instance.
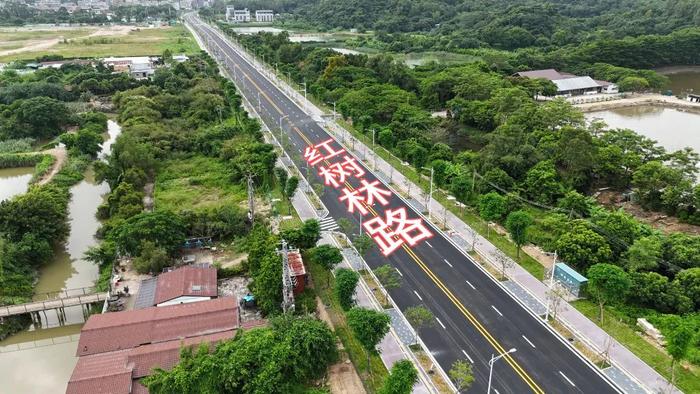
[512, 160]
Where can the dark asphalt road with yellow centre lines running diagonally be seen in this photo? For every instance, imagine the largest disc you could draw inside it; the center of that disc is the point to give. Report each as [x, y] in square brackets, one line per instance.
[475, 316]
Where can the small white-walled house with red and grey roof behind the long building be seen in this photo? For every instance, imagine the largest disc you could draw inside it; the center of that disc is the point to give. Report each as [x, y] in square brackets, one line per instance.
[183, 285]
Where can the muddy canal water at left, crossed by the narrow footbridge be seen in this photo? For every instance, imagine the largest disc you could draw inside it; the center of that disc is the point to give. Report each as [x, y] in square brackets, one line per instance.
[41, 359]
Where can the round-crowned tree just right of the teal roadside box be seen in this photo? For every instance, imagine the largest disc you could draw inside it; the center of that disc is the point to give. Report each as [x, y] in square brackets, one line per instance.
[607, 284]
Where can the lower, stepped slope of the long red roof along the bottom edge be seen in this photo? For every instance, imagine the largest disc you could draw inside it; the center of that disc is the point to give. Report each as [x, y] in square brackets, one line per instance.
[113, 372]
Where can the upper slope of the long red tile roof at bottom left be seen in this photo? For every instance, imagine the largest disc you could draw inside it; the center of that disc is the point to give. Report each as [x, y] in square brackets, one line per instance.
[123, 330]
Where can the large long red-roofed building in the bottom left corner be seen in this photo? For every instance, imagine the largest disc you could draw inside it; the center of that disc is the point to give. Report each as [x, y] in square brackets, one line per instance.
[117, 349]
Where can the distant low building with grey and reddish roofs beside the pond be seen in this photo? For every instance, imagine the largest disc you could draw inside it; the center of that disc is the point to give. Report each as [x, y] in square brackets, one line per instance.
[570, 84]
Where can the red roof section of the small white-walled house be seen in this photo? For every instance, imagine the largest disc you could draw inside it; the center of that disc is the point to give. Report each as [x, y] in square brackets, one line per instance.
[186, 281]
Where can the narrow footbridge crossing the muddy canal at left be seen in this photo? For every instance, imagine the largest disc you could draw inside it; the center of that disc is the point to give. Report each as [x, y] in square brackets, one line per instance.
[55, 300]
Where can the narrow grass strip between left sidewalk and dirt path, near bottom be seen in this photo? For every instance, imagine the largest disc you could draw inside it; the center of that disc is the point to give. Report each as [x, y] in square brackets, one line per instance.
[372, 380]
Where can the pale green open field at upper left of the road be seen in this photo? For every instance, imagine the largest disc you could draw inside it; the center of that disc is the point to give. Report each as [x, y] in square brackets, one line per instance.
[138, 42]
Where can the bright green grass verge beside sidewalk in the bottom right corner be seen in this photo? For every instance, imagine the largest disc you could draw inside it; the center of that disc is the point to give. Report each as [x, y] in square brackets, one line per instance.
[615, 323]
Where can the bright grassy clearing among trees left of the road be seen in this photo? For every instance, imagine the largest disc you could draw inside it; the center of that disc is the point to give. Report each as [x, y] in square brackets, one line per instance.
[196, 182]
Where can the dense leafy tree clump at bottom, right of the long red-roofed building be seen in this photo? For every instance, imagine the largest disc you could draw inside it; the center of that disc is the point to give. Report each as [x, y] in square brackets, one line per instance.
[293, 352]
